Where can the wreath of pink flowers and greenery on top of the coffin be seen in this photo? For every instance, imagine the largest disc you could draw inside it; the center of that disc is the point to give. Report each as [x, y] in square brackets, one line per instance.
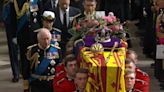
[88, 26]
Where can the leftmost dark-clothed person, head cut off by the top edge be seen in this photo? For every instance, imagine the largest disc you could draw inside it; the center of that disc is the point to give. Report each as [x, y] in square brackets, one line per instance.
[9, 18]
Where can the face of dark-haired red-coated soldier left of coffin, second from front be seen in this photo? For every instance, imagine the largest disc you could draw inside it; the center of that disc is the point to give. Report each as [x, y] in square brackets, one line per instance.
[71, 68]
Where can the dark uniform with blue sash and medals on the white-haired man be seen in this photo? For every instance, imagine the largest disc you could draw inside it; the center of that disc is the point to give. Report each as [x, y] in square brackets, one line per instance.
[41, 67]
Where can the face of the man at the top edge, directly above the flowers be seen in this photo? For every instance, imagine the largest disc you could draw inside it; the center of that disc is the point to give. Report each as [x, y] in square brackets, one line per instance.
[89, 6]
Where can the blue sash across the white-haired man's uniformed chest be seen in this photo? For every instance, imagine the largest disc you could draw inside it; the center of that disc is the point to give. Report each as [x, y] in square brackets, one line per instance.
[43, 65]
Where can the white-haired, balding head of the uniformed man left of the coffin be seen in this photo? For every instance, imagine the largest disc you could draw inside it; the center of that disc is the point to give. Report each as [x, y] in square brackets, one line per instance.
[44, 37]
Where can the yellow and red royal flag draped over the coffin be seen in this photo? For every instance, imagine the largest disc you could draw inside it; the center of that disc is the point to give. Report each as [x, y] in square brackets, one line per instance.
[106, 75]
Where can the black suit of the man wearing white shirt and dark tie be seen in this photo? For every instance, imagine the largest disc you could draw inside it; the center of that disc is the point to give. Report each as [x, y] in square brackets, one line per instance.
[65, 36]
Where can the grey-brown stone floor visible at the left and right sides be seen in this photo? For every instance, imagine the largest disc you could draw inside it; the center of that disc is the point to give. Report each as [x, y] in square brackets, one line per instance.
[5, 71]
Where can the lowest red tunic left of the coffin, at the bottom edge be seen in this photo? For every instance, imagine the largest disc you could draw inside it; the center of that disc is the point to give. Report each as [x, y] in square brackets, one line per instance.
[64, 85]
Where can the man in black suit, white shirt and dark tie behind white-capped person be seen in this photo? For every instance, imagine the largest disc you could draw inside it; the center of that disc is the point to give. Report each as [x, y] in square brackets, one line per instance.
[65, 15]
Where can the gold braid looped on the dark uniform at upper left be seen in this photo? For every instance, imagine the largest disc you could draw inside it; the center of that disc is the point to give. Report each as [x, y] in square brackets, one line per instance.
[24, 9]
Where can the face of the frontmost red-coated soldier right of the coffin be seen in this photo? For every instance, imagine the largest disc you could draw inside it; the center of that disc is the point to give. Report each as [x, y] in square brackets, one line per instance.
[129, 81]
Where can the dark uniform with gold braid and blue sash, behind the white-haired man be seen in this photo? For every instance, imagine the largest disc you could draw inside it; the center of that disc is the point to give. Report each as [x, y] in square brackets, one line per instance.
[26, 23]
